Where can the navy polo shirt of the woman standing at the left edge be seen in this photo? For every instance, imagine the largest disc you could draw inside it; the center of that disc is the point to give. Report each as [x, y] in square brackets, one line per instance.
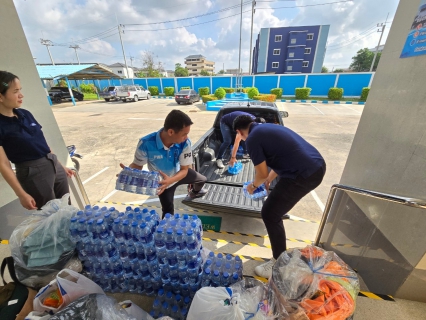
[21, 137]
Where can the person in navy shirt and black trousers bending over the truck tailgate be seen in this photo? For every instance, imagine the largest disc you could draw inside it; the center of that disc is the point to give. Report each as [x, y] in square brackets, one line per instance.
[297, 163]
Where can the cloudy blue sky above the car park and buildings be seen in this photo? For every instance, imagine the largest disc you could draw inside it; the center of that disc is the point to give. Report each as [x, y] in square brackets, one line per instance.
[174, 29]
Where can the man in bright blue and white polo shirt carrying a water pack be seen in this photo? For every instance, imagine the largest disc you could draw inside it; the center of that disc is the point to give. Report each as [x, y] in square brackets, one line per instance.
[169, 152]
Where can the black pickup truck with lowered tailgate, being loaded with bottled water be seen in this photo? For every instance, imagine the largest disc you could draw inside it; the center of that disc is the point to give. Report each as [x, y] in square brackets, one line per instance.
[225, 190]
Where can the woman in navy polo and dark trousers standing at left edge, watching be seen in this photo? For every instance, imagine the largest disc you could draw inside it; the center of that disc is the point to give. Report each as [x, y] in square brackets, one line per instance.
[39, 175]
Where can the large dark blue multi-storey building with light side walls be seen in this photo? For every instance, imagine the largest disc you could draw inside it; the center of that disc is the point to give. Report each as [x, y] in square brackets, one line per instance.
[290, 49]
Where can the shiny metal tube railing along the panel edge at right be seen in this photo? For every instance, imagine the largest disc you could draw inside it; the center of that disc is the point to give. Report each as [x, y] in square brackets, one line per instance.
[412, 202]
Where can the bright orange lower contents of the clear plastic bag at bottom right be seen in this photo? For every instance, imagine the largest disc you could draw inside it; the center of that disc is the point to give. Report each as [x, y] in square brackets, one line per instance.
[331, 302]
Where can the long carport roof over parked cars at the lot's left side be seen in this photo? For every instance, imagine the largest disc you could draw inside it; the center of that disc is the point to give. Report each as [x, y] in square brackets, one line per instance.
[75, 72]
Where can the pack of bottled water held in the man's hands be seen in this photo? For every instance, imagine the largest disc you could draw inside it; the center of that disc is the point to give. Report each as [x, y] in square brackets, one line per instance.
[137, 181]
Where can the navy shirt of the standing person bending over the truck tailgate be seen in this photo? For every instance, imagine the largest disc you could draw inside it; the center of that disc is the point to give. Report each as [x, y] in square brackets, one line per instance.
[284, 151]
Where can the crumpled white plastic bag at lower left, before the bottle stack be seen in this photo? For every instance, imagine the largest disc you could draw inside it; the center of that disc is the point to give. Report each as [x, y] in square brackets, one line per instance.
[71, 285]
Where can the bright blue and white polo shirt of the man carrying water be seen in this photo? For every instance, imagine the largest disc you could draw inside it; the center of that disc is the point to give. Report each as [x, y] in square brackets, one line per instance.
[152, 151]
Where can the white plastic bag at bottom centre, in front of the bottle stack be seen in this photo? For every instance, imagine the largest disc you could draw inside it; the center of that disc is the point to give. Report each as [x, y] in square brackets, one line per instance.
[215, 304]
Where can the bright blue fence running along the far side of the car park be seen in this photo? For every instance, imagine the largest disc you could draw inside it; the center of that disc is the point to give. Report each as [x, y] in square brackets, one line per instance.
[352, 83]
